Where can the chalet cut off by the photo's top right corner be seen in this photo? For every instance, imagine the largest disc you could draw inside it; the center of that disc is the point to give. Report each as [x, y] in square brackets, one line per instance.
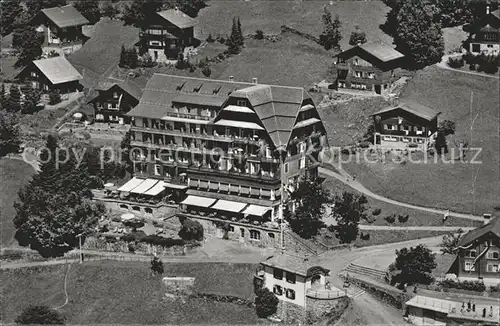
[485, 34]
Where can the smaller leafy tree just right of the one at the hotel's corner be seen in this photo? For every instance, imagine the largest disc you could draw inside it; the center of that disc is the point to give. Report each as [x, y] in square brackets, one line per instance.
[348, 210]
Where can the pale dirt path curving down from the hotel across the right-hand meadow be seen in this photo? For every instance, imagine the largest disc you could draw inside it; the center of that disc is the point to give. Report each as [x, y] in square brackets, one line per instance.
[344, 177]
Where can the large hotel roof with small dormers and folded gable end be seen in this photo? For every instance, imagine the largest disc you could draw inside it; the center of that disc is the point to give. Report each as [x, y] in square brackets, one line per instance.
[276, 106]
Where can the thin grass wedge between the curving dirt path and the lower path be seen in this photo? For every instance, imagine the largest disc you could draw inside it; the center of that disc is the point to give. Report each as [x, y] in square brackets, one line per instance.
[416, 217]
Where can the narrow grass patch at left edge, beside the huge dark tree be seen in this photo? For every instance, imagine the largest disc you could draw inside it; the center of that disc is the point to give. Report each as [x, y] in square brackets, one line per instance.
[13, 175]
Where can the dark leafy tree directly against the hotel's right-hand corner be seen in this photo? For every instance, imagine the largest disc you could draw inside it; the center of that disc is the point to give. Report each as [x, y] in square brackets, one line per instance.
[310, 200]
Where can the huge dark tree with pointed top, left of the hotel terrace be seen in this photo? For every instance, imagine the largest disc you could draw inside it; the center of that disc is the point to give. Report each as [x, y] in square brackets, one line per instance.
[56, 205]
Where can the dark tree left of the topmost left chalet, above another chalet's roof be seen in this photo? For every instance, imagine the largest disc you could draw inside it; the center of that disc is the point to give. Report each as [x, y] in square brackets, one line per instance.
[30, 44]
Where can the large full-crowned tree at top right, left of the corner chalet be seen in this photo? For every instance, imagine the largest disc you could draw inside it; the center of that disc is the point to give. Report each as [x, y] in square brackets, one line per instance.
[418, 35]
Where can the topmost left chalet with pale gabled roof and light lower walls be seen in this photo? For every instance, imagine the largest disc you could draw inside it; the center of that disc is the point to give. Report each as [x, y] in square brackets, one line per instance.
[62, 28]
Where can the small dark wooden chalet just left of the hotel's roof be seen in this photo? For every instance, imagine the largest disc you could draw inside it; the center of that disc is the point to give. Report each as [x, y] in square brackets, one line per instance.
[114, 101]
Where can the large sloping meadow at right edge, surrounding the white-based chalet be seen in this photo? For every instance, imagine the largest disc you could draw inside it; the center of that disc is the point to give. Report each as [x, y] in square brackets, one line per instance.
[446, 185]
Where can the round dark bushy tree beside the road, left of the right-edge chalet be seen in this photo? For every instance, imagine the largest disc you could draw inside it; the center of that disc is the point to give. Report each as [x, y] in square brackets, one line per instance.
[415, 264]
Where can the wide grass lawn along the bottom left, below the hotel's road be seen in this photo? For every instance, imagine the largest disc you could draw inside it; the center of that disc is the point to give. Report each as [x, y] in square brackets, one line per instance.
[126, 293]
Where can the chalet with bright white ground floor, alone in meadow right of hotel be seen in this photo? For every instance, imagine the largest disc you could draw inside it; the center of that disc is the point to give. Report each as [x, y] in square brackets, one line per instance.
[405, 126]
